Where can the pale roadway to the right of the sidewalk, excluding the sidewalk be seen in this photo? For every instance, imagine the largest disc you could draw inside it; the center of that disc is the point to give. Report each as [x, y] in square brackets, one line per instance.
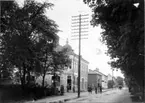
[112, 96]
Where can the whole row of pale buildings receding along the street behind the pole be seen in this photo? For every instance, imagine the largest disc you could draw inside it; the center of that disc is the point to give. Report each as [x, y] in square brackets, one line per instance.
[69, 78]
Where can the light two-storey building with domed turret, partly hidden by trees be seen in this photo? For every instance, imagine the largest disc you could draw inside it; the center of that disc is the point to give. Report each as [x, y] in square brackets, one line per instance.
[68, 78]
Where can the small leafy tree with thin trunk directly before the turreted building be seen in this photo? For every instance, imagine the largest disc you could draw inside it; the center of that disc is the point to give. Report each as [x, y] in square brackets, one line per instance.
[61, 61]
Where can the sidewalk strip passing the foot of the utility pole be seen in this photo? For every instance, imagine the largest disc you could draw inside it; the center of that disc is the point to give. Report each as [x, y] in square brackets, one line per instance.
[60, 99]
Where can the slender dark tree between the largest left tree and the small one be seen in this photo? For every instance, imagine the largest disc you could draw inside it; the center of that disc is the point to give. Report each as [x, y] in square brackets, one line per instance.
[44, 50]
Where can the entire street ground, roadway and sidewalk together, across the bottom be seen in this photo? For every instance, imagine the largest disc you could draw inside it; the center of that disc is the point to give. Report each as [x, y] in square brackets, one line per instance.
[107, 96]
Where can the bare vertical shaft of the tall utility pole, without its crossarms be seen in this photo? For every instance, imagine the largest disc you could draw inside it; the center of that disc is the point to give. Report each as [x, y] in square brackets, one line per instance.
[79, 61]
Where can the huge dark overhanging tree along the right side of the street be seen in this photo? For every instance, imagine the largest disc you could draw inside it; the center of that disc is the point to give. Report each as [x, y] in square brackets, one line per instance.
[123, 25]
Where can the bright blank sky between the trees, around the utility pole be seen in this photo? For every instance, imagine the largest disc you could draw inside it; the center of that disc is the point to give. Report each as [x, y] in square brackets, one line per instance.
[92, 49]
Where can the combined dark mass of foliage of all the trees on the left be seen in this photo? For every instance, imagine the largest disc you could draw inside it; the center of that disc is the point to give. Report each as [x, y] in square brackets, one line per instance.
[28, 41]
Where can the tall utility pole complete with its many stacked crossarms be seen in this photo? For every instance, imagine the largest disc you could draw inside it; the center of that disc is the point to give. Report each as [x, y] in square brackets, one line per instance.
[79, 33]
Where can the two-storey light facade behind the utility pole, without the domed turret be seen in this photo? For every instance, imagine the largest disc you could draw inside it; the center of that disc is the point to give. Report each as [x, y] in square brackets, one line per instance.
[71, 74]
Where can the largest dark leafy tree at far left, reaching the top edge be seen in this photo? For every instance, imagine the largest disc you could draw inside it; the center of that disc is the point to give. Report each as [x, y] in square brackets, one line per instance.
[22, 28]
